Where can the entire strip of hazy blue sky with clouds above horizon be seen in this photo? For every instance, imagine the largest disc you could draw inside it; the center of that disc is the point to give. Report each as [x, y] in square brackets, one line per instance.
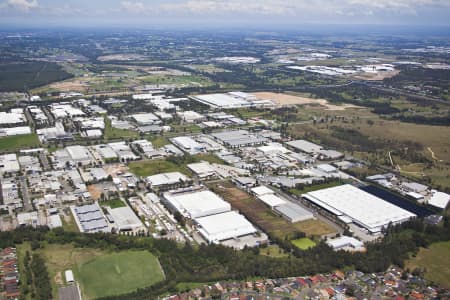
[222, 12]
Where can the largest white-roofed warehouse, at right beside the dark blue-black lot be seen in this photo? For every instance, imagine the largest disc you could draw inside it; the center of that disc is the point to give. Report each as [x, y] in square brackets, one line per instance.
[362, 208]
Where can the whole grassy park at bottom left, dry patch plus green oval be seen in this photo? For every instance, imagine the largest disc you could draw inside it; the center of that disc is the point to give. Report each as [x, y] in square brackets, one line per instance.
[100, 273]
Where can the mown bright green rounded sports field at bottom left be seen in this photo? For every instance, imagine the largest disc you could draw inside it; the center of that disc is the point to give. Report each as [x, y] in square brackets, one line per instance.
[118, 273]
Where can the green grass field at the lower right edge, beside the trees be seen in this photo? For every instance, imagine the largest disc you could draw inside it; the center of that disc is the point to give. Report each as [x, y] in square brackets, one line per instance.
[435, 260]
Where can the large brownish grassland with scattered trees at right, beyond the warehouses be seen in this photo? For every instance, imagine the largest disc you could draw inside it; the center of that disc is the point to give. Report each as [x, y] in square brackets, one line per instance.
[369, 137]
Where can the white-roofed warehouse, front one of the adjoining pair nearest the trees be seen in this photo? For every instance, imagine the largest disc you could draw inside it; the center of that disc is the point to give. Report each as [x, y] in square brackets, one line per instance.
[224, 226]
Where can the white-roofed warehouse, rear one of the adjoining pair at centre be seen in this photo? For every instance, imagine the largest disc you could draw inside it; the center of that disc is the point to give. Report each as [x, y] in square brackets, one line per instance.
[195, 203]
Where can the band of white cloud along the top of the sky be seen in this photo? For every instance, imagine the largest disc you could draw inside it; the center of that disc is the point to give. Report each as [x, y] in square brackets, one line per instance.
[280, 8]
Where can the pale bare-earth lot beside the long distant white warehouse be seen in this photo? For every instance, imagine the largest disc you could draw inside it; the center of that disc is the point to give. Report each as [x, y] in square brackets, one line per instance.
[285, 99]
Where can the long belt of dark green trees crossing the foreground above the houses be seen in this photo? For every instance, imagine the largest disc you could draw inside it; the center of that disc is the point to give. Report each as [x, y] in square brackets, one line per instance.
[215, 262]
